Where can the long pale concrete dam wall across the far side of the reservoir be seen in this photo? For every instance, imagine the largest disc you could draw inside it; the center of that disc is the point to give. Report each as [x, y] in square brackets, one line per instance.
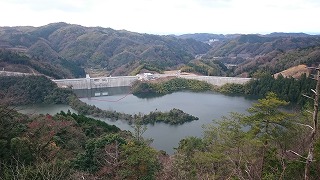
[120, 81]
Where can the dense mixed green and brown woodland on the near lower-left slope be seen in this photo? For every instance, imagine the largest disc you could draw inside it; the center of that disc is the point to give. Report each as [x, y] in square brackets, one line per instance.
[70, 146]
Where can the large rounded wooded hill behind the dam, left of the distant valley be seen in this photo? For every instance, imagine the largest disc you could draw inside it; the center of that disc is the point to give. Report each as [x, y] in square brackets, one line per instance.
[119, 52]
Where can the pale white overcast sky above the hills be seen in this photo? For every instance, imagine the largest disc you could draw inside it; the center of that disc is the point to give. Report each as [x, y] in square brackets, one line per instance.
[169, 16]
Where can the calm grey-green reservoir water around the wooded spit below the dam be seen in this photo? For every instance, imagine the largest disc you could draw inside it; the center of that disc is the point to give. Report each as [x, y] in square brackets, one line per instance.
[207, 106]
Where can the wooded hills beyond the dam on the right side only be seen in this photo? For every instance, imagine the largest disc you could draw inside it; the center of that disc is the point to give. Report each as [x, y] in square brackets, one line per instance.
[252, 53]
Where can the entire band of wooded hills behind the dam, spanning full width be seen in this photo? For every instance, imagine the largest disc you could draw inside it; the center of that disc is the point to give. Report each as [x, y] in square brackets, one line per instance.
[62, 50]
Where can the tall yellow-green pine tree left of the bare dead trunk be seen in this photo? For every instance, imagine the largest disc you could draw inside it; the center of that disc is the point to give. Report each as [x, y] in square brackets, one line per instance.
[267, 123]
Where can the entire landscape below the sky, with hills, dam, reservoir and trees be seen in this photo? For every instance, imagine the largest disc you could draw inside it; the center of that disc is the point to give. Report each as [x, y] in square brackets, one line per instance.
[81, 102]
